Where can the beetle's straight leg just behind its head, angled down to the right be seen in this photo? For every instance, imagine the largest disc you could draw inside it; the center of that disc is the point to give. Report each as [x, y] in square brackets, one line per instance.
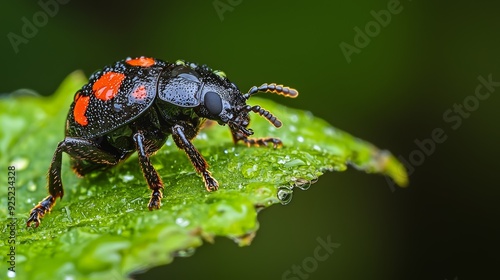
[195, 157]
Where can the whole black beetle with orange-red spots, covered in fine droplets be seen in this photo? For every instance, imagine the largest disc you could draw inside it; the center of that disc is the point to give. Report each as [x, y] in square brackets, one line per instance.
[135, 104]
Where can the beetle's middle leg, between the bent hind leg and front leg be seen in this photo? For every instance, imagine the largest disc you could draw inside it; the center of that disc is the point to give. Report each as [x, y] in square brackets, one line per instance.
[154, 181]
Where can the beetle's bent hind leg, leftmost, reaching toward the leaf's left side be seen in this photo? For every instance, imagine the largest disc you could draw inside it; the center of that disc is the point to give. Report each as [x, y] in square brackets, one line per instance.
[79, 149]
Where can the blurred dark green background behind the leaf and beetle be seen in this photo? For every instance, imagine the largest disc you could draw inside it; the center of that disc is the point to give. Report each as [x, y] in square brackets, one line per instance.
[394, 91]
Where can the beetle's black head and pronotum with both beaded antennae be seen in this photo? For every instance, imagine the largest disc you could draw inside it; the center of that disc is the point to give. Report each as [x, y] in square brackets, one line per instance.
[214, 97]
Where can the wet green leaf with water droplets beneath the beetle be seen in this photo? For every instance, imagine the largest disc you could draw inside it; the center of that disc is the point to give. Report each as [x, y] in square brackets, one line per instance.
[102, 227]
